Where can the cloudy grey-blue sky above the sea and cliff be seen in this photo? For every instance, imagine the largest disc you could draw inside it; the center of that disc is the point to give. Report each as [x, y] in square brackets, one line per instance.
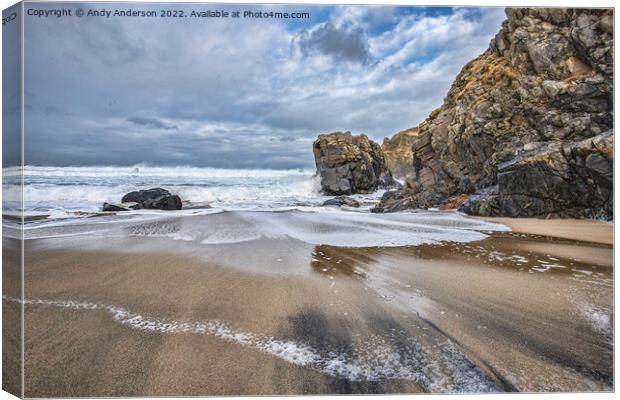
[236, 93]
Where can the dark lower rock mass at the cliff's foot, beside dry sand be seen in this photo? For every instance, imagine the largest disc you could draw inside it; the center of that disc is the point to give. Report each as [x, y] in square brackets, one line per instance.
[558, 179]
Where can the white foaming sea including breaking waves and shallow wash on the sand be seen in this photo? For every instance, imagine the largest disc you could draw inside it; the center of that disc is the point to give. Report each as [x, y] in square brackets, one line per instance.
[220, 206]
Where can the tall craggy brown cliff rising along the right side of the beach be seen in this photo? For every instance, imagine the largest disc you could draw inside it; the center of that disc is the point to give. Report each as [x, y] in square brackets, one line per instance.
[527, 125]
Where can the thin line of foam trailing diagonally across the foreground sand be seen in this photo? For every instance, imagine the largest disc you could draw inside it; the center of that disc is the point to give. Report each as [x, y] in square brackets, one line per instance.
[446, 370]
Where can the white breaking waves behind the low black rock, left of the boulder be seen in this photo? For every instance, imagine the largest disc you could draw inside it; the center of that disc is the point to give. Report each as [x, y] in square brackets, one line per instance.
[68, 189]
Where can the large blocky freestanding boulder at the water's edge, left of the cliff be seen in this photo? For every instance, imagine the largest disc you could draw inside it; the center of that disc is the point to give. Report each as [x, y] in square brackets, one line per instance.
[350, 164]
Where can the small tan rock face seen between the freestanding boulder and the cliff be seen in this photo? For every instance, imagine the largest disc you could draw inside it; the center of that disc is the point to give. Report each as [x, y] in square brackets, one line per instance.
[398, 153]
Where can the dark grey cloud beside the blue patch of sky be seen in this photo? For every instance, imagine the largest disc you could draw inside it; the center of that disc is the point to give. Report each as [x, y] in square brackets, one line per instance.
[343, 44]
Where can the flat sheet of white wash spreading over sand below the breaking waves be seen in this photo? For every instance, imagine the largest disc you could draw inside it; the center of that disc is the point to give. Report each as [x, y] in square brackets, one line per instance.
[323, 226]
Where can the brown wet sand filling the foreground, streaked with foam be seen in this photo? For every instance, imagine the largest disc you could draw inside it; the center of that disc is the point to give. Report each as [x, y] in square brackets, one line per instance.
[127, 316]
